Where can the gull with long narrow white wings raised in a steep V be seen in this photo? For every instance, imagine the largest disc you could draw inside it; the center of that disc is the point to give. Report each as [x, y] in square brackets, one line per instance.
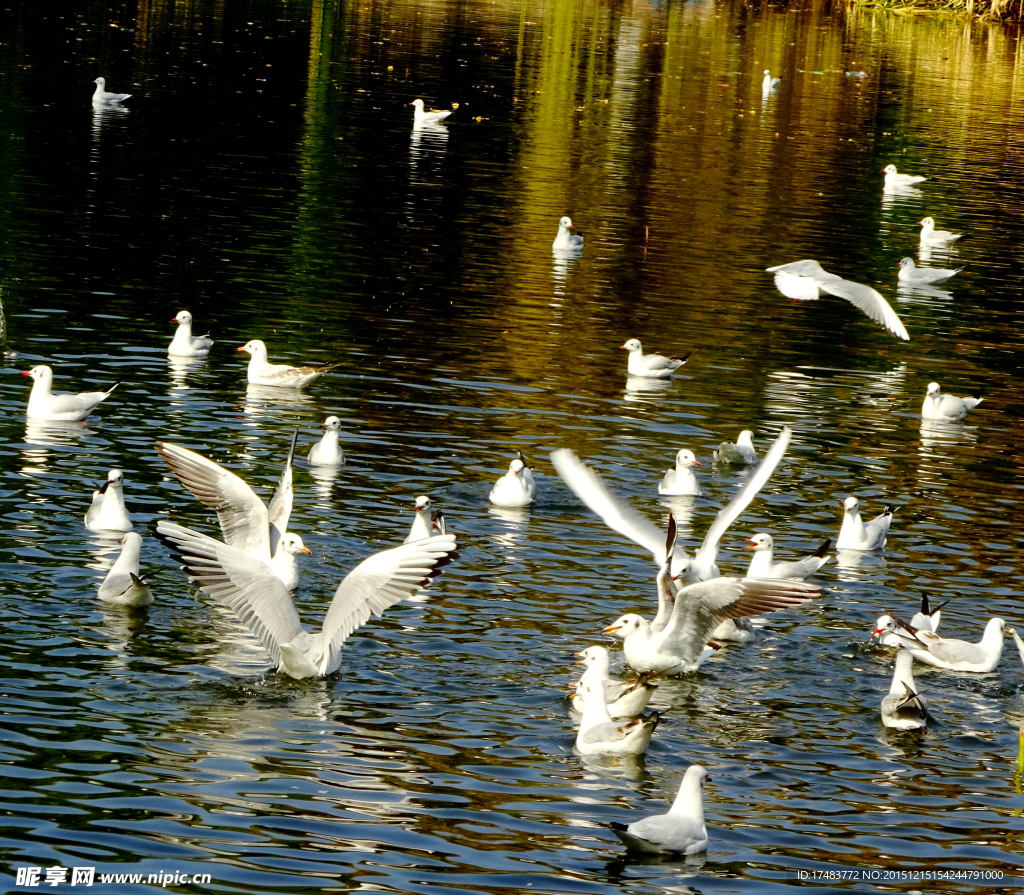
[621, 518]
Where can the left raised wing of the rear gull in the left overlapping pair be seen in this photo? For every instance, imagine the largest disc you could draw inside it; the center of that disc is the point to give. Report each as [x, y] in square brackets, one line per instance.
[243, 517]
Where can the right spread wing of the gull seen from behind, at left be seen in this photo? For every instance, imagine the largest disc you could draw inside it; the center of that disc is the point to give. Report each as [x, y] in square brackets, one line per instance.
[376, 584]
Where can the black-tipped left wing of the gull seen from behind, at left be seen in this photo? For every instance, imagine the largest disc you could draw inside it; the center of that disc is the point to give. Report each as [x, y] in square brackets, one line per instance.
[238, 580]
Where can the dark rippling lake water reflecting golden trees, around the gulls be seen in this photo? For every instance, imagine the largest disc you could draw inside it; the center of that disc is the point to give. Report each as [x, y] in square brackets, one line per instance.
[266, 178]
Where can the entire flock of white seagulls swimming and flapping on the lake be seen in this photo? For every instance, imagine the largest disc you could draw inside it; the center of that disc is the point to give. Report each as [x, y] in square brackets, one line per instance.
[253, 569]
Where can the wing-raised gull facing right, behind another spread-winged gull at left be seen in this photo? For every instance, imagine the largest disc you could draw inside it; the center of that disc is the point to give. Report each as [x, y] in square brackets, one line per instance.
[248, 525]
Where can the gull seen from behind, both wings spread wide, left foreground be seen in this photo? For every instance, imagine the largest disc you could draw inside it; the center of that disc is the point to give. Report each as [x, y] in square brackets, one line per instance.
[252, 590]
